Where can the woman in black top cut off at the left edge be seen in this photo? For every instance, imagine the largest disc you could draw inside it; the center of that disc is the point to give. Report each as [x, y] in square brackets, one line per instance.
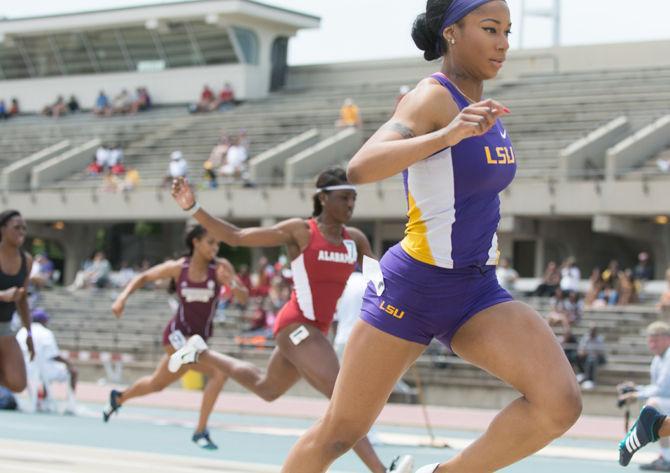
[15, 265]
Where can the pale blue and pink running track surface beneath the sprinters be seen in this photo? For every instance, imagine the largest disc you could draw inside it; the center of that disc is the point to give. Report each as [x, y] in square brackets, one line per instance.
[152, 434]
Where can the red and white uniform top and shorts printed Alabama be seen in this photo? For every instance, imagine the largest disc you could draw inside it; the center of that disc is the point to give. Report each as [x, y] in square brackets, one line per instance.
[319, 276]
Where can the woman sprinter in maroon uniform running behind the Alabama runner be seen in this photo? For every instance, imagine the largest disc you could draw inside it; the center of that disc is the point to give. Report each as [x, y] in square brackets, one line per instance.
[198, 278]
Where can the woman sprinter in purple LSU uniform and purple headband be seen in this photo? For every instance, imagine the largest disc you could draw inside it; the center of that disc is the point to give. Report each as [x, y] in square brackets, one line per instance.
[456, 158]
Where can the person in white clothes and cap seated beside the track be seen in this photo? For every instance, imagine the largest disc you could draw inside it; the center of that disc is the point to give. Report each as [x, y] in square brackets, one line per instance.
[48, 366]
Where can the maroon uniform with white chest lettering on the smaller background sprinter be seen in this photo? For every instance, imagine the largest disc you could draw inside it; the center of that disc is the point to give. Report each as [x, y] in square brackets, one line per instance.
[197, 304]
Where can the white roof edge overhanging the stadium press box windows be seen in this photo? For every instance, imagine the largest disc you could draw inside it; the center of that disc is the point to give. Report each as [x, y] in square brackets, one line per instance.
[212, 11]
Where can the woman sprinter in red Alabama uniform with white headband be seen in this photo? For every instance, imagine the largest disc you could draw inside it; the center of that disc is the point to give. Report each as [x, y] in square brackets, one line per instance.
[323, 253]
